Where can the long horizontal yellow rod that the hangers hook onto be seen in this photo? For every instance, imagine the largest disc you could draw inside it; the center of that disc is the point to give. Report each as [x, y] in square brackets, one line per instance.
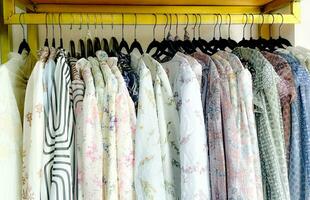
[144, 18]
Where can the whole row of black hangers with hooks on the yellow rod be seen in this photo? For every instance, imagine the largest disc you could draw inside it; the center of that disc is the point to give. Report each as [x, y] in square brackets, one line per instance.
[168, 46]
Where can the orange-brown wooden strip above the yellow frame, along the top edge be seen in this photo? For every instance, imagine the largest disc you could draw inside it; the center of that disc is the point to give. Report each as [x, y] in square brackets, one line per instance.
[156, 2]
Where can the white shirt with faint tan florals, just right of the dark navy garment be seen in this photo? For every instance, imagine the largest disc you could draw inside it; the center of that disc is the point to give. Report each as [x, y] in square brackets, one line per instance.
[149, 175]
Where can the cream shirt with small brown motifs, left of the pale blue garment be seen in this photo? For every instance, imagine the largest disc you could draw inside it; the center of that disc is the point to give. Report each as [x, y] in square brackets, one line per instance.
[32, 169]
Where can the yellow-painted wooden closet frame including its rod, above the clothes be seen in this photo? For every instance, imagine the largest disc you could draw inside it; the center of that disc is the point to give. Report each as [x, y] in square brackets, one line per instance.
[53, 12]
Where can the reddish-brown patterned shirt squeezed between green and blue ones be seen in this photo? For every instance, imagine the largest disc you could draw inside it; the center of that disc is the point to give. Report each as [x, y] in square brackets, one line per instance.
[287, 93]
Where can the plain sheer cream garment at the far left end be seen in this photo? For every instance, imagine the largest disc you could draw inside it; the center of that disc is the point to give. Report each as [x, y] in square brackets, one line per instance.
[11, 133]
